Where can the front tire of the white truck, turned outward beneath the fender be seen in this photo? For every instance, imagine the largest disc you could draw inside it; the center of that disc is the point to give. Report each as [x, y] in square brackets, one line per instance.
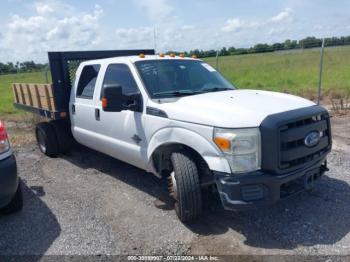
[185, 187]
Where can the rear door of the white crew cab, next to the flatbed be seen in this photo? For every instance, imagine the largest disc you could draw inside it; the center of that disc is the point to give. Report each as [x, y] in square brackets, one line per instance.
[82, 106]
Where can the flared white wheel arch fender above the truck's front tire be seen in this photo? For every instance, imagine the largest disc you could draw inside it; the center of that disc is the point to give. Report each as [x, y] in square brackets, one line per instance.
[213, 157]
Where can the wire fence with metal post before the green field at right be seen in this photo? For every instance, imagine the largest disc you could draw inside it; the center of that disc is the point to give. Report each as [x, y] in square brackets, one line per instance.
[319, 74]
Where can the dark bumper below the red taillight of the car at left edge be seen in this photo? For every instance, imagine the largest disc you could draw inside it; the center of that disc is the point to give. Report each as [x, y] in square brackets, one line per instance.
[8, 180]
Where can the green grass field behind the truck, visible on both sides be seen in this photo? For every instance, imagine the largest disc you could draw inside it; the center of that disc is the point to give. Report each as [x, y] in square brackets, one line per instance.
[288, 71]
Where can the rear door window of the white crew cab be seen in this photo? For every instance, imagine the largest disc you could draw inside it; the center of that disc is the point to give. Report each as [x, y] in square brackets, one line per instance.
[87, 81]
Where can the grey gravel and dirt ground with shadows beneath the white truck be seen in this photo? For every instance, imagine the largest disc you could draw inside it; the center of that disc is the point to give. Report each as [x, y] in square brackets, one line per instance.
[88, 203]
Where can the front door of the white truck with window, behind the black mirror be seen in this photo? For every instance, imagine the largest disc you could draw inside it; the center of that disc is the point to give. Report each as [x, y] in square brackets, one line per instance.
[121, 134]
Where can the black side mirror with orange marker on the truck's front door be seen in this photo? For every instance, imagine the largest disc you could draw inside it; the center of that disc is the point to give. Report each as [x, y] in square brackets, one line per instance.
[112, 99]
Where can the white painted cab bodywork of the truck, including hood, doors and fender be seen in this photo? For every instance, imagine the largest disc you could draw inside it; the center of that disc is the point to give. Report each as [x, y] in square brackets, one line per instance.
[190, 121]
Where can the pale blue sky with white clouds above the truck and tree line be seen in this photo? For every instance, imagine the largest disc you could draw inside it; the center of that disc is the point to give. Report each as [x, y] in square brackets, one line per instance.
[28, 29]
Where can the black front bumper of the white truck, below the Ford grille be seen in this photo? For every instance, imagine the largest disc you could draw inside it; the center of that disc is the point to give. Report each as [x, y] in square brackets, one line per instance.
[258, 189]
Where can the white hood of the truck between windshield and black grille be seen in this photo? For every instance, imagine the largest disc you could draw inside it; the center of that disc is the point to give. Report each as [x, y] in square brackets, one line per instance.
[231, 109]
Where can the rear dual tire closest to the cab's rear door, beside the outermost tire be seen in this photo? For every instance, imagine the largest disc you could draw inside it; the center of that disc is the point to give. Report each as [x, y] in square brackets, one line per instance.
[62, 132]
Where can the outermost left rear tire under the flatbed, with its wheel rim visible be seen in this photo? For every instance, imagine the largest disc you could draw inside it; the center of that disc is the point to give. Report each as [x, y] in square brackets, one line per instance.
[47, 140]
